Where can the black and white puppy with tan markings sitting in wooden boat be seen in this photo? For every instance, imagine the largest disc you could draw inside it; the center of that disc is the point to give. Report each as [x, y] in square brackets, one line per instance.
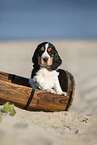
[44, 75]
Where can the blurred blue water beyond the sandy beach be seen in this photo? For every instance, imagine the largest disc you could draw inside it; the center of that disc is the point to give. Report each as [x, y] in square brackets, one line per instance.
[47, 19]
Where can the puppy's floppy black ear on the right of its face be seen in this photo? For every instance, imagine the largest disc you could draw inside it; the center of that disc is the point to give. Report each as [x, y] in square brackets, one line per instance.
[56, 60]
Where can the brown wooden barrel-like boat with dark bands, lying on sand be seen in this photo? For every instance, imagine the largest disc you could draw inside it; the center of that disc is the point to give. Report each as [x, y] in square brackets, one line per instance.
[16, 89]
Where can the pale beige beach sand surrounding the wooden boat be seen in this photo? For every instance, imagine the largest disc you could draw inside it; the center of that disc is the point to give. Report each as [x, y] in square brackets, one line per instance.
[79, 124]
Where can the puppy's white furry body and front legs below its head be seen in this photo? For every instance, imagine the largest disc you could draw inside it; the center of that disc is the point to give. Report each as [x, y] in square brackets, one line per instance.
[47, 80]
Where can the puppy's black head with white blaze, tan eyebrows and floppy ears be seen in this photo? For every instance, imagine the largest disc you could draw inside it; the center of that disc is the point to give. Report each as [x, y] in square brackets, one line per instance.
[47, 56]
